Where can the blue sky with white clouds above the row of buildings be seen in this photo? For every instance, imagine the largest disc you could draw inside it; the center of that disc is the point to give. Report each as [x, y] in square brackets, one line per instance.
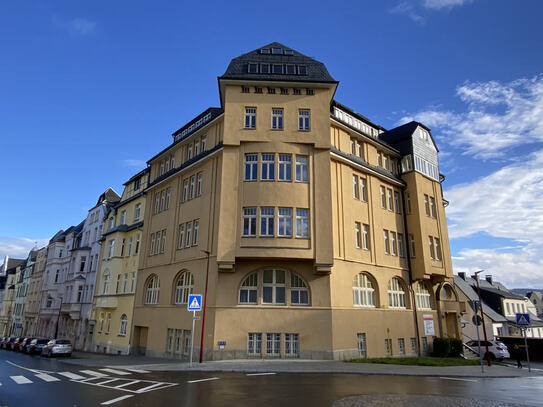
[90, 90]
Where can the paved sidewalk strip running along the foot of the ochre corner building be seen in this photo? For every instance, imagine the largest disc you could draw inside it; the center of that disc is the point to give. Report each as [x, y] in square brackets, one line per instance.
[297, 366]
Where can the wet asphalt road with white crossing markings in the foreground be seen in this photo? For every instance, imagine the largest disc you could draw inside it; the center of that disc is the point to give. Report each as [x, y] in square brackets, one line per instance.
[36, 381]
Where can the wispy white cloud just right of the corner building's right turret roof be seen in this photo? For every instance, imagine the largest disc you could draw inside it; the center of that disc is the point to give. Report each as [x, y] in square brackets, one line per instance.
[498, 117]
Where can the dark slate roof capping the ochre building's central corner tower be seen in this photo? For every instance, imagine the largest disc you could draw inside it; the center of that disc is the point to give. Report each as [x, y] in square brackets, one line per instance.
[316, 71]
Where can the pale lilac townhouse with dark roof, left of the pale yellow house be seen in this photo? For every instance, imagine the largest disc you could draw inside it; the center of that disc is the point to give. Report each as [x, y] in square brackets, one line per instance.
[79, 277]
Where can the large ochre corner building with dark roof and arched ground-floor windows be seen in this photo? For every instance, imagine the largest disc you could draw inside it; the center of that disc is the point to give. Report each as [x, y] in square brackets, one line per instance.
[326, 233]
